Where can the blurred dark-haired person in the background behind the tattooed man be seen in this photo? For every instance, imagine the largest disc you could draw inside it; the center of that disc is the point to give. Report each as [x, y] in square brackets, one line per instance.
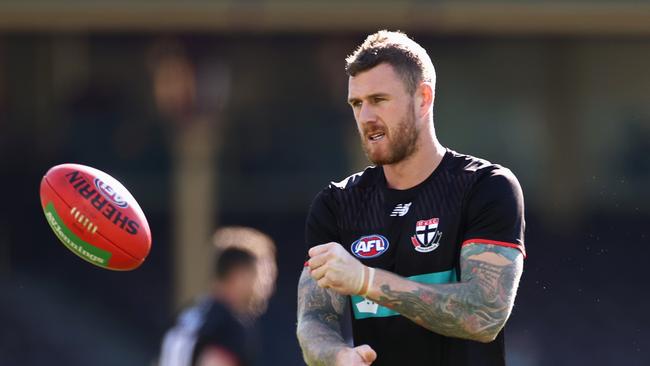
[218, 330]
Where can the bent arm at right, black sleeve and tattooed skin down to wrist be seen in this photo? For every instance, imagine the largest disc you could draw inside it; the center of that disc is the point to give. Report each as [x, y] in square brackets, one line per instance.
[491, 263]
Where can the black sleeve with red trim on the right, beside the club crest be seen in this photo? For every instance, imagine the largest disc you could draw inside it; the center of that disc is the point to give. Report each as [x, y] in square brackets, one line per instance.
[495, 211]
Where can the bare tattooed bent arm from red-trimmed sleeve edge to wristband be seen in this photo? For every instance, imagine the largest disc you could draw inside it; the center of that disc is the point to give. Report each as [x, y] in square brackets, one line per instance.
[476, 308]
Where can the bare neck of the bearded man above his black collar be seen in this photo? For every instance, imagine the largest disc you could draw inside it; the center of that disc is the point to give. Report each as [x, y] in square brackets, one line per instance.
[417, 167]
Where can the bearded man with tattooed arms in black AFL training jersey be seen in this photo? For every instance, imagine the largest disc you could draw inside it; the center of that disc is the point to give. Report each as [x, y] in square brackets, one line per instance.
[426, 247]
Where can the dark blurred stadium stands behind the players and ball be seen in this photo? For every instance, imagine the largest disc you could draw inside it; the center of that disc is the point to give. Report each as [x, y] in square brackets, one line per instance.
[233, 112]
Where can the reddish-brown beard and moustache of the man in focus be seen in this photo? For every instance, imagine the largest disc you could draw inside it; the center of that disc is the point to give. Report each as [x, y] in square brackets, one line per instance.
[402, 142]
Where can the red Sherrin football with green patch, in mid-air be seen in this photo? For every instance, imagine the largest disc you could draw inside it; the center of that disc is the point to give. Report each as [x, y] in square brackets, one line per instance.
[95, 217]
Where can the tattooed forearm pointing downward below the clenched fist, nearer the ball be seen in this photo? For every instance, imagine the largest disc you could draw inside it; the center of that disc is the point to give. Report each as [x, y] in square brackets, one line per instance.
[319, 329]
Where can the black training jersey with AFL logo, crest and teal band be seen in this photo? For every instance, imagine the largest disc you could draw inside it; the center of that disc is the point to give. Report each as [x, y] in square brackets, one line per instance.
[418, 234]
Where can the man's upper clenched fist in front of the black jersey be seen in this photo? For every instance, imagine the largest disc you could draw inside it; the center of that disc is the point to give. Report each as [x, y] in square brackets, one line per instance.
[331, 266]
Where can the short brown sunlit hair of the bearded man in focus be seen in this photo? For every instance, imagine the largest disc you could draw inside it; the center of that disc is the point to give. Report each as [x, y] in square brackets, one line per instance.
[408, 58]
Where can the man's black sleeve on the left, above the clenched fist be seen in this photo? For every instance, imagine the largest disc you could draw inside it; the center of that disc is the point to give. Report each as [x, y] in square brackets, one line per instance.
[321, 227]
